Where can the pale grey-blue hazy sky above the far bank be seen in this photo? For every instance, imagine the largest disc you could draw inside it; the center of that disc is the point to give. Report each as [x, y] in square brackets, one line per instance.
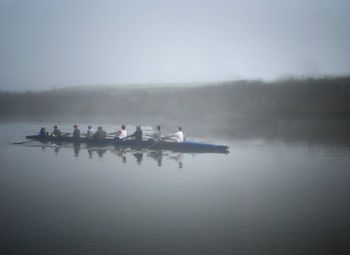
[62, 43]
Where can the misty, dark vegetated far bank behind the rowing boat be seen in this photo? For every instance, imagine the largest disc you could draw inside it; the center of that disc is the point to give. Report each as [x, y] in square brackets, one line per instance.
[312, 98]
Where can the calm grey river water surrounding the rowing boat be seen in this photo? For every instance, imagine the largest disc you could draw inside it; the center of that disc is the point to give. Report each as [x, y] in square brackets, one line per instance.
[264, 197]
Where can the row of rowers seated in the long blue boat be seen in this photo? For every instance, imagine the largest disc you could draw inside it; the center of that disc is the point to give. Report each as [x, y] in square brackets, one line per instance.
[121, 134]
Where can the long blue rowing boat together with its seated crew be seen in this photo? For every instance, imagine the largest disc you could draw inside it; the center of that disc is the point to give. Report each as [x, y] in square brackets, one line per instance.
[155, 140]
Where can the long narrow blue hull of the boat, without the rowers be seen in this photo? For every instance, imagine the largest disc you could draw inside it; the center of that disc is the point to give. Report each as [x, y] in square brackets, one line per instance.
[187, 146]
